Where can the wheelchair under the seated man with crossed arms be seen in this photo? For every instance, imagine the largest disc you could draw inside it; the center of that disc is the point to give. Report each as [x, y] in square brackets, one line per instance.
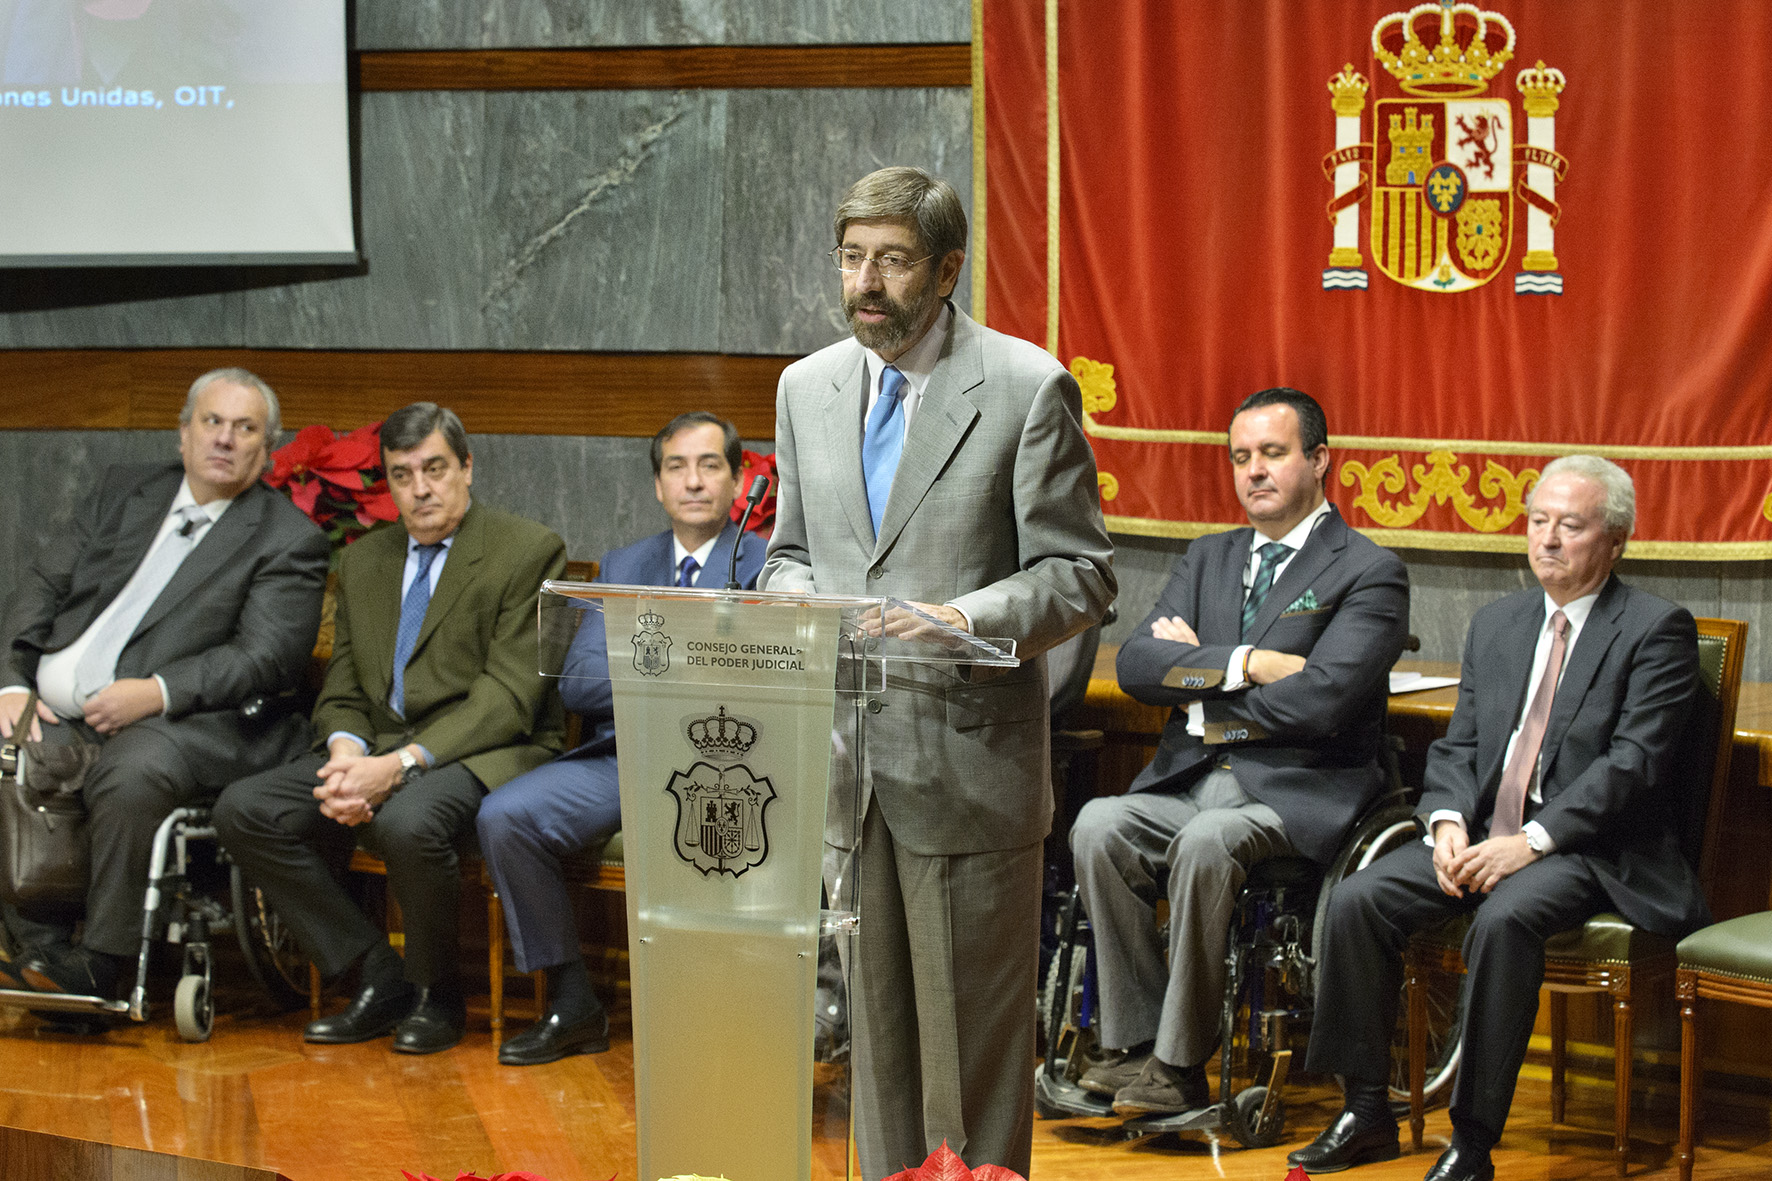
[1270, 997]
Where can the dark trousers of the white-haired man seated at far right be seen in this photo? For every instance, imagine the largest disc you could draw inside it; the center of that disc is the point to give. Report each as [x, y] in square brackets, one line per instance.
[1372, 918]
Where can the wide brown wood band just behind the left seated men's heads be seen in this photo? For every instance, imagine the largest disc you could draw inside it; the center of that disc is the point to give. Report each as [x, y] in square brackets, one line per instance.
[621, 395]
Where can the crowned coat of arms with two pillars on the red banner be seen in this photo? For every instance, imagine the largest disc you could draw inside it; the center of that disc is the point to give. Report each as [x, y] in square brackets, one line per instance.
[1440, 191]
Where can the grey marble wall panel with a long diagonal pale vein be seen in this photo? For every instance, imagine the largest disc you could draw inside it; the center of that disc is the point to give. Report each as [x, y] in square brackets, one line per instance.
[602, 221]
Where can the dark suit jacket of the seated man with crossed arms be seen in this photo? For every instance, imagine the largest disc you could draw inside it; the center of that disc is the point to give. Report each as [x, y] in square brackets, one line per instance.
[1305, 746]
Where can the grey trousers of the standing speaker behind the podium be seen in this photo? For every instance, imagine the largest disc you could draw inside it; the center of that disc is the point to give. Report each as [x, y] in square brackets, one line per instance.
[944, 1005]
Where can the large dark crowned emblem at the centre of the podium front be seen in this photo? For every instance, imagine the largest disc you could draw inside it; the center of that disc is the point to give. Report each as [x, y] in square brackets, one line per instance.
[720, 802]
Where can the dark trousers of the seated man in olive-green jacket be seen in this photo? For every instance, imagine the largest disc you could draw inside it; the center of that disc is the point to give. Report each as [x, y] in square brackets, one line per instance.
[274, 827]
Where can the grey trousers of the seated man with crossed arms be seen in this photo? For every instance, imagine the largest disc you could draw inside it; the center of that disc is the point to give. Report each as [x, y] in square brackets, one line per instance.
[1201, 847]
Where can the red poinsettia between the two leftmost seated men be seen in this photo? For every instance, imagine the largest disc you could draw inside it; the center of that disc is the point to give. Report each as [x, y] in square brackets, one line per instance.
[336, 480]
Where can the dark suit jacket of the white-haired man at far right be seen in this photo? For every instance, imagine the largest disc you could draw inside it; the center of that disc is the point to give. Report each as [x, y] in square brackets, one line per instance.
[1612, 749]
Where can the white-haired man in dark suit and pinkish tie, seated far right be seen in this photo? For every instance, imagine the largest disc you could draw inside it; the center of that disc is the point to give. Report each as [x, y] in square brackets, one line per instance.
[1550, 801]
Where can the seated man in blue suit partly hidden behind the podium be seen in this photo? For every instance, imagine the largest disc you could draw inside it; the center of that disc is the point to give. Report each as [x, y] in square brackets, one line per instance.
[573, 802]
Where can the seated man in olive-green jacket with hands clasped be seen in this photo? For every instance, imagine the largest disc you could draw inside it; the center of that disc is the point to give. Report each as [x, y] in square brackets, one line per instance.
[431, 700]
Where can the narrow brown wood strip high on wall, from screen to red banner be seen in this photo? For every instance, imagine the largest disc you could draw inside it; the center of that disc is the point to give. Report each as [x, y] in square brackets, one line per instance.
[704, 66]
